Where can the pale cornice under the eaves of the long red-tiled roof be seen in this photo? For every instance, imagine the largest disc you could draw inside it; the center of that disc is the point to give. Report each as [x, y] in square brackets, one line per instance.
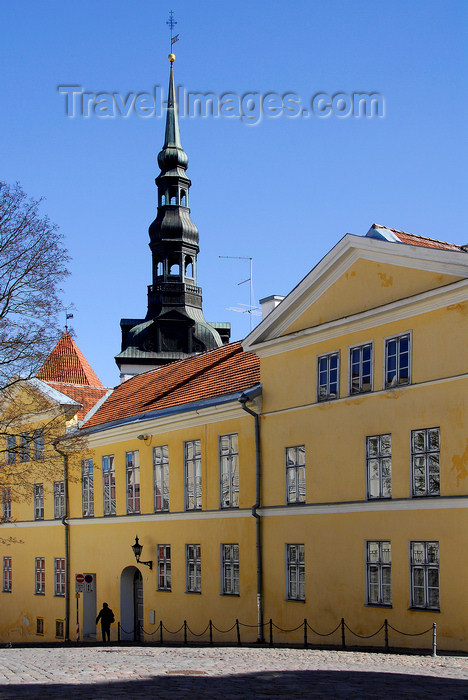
[182, 421]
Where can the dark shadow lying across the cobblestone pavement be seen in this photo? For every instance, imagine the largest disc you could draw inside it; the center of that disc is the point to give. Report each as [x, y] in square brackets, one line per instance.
[271, 684]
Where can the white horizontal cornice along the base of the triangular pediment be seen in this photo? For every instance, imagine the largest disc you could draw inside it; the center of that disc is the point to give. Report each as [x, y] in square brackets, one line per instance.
[395, 311]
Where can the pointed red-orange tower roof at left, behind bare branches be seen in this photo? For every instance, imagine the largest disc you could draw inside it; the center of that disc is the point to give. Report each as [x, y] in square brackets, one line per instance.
[66, 363]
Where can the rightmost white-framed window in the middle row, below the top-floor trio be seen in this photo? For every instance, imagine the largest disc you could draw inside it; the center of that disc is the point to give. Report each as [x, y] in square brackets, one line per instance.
[425, 462]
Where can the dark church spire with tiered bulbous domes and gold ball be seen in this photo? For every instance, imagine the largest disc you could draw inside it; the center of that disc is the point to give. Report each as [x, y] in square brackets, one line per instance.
[174, 326]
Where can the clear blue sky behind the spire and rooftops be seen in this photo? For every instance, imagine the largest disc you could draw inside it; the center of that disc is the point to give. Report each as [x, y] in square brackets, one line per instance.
[283, 191]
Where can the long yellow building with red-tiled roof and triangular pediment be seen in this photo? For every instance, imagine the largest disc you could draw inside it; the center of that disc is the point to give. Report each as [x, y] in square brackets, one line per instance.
[319, 472]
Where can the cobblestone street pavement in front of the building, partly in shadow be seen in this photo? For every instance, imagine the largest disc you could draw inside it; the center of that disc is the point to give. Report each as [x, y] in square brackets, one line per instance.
[225, 672]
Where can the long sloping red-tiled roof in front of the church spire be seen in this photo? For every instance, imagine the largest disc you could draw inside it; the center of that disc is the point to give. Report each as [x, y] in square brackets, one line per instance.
[224, 370]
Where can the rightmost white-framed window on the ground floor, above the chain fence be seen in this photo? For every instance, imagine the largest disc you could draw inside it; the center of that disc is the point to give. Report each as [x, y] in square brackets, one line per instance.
[424, 565]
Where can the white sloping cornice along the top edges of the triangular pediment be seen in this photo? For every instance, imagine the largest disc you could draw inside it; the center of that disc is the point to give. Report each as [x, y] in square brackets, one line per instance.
[349, 249]
